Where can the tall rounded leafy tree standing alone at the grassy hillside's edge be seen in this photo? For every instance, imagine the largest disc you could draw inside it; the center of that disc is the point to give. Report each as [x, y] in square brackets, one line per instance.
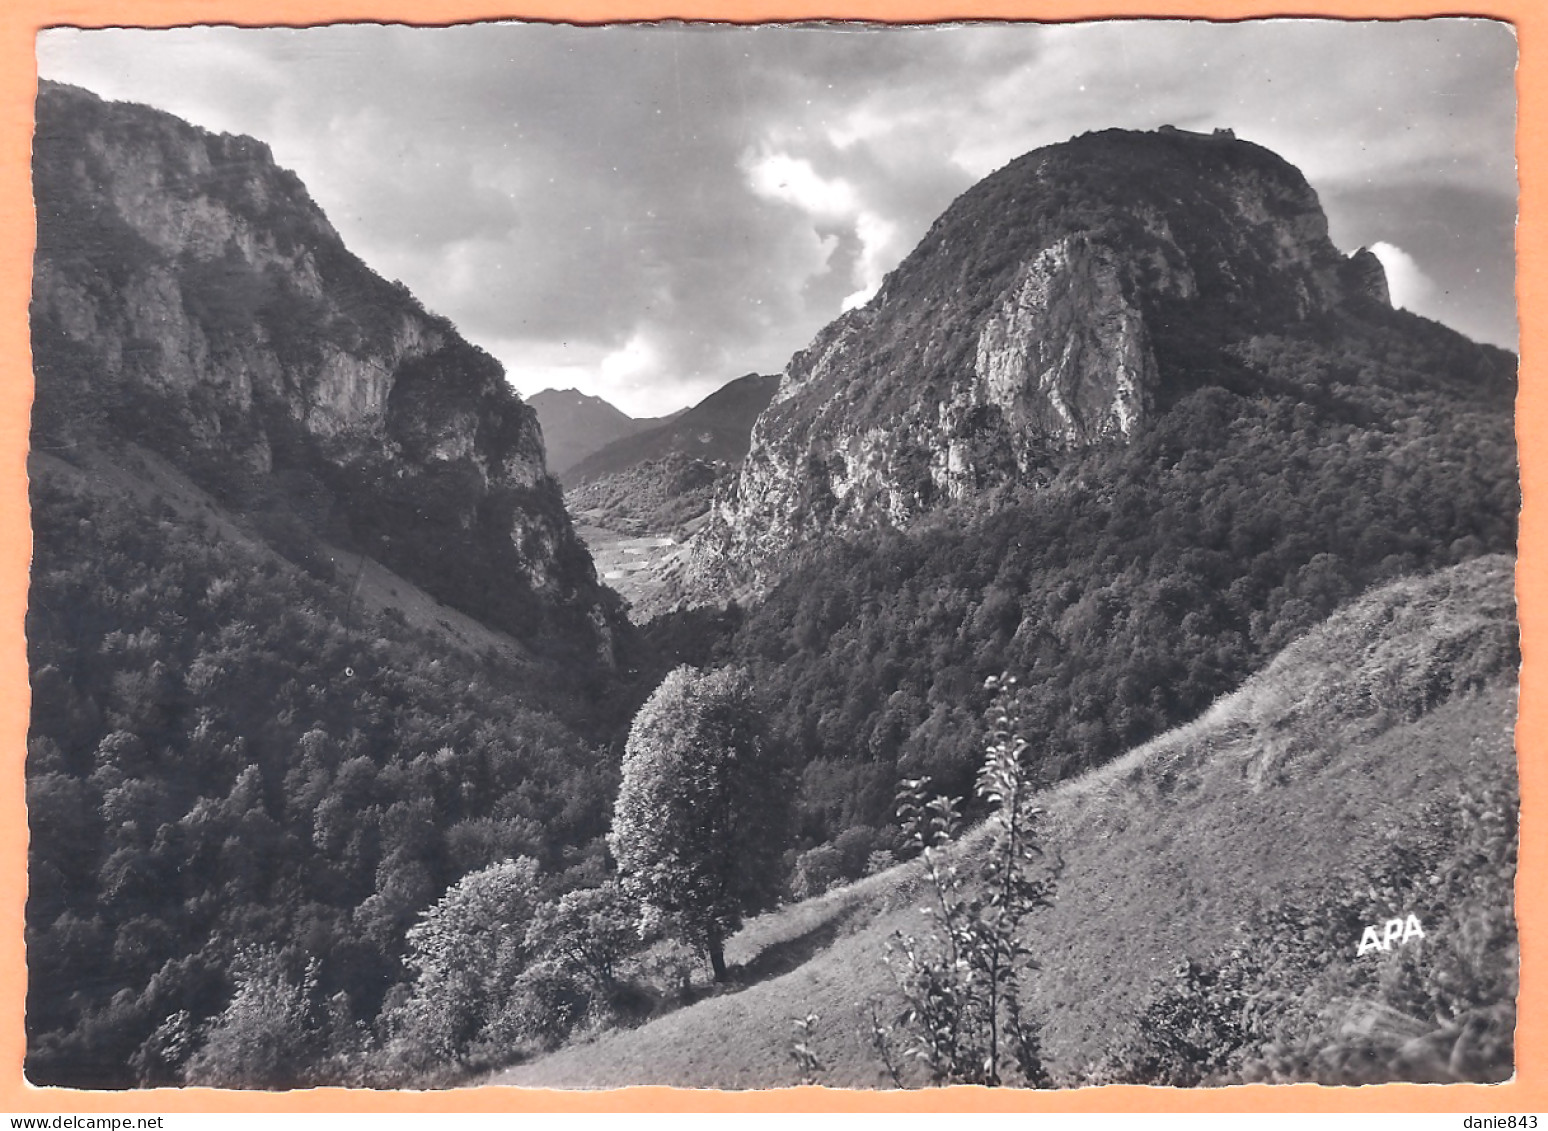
[702, 812]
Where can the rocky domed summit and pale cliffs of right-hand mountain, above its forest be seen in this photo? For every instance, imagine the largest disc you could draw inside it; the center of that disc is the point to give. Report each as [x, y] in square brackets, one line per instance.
[1049, 310]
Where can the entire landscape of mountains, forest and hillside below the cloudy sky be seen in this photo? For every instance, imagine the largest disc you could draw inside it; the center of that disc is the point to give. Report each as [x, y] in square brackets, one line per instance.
[1046, 680]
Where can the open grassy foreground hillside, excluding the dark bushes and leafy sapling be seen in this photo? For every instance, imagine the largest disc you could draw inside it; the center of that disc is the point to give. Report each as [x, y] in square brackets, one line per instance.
[1168, 850]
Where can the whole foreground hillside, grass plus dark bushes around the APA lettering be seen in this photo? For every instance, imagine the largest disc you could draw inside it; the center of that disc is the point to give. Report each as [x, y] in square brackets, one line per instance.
[1213, 889]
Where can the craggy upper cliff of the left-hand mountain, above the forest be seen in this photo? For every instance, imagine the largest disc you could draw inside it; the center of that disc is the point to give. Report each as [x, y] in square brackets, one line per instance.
[190, 296]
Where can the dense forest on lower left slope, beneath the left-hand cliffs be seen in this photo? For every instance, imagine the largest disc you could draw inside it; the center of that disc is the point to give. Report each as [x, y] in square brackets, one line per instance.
[224, 756]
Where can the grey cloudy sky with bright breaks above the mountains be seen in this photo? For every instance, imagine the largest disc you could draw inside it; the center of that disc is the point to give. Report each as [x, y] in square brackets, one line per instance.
[648, 213]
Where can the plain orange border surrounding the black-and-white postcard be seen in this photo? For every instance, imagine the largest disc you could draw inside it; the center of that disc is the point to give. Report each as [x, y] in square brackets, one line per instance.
[19, 24]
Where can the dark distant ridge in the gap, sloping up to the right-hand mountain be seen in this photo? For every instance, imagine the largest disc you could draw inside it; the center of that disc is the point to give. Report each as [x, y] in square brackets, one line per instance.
[716, 429]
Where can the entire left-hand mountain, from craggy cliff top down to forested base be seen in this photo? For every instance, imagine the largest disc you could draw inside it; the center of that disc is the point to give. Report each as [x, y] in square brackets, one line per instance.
[258, 754]
